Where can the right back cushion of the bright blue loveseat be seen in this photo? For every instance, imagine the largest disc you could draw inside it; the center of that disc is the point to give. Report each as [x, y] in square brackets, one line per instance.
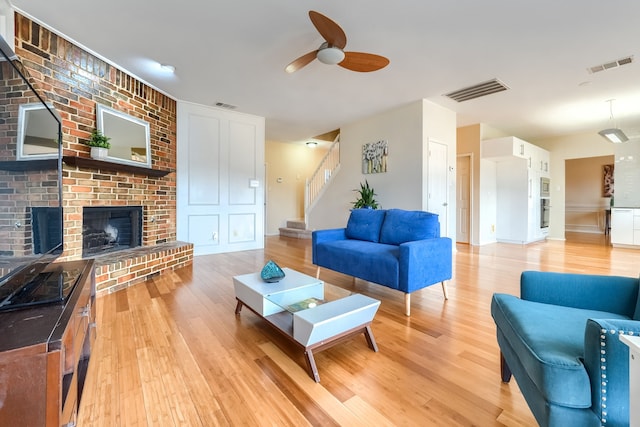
[402, 226]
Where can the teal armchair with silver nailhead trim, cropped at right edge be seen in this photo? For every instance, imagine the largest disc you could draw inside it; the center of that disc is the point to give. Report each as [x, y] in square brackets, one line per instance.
[560, 341]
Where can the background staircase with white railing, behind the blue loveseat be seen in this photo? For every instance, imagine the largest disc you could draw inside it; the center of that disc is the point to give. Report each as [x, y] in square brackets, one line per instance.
[314, 187]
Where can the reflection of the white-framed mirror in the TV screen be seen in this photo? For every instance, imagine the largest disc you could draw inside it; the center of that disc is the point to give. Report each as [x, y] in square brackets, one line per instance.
[37, 133]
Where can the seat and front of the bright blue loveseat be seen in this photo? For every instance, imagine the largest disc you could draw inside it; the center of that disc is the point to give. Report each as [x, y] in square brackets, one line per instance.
[374, 262]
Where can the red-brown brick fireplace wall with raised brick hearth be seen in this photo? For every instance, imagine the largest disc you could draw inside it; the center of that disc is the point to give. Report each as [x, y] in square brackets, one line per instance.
[74, 81]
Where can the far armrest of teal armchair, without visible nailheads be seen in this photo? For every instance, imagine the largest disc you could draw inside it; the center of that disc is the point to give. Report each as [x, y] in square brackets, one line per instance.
[613, 294]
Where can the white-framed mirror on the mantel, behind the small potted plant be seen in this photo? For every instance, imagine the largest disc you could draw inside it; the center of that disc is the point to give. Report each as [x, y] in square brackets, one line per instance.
[130, 137]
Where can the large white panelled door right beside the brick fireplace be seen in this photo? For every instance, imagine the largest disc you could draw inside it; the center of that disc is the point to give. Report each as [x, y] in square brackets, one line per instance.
[220, 179]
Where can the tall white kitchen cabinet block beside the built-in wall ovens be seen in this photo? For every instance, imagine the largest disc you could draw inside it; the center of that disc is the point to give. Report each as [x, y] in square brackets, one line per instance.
[519, 167]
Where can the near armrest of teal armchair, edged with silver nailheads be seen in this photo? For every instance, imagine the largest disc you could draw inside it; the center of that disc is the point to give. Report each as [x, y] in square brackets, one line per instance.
[606, 359]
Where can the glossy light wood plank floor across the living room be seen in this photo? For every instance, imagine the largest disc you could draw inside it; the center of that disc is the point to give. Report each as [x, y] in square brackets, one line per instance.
[171, 352]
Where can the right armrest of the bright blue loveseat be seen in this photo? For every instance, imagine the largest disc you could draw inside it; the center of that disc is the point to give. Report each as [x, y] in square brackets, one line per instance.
[424, 263]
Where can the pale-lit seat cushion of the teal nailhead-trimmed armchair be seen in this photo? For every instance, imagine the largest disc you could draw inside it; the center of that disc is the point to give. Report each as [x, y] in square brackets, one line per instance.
[549, 342]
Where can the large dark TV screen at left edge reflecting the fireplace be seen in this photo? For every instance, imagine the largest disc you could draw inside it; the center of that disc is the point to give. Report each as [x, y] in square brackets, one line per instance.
[30, 188]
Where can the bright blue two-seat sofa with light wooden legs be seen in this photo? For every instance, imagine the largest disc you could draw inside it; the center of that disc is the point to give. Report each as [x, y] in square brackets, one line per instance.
[396, 248]
